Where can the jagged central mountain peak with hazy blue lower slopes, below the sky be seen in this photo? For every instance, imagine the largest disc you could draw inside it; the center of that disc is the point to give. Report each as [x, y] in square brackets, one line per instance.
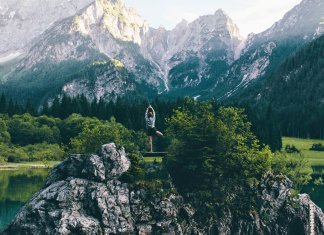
[187, 53]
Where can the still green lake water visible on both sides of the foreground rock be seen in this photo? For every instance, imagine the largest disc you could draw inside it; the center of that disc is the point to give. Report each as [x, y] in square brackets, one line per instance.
[18, 186]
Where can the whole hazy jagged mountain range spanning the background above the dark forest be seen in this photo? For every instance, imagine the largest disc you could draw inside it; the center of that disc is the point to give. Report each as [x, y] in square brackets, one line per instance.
[106, 50]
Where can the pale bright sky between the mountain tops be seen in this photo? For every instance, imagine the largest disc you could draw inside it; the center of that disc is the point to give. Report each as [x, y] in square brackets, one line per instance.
[250, 15]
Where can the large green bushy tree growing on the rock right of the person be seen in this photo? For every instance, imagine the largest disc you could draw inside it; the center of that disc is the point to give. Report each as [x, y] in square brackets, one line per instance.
[214, 153]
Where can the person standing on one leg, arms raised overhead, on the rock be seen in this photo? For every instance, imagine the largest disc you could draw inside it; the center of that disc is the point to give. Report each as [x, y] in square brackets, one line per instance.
[150, 126]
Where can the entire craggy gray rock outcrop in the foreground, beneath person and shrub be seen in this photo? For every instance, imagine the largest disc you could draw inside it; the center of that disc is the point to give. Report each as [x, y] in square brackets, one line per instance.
[84, 195]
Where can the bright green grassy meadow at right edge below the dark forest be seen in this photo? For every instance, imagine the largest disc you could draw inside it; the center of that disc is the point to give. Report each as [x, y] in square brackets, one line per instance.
[316, 158]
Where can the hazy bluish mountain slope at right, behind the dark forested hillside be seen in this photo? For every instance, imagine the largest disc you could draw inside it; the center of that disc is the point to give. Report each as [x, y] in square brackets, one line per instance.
[262, 53]
